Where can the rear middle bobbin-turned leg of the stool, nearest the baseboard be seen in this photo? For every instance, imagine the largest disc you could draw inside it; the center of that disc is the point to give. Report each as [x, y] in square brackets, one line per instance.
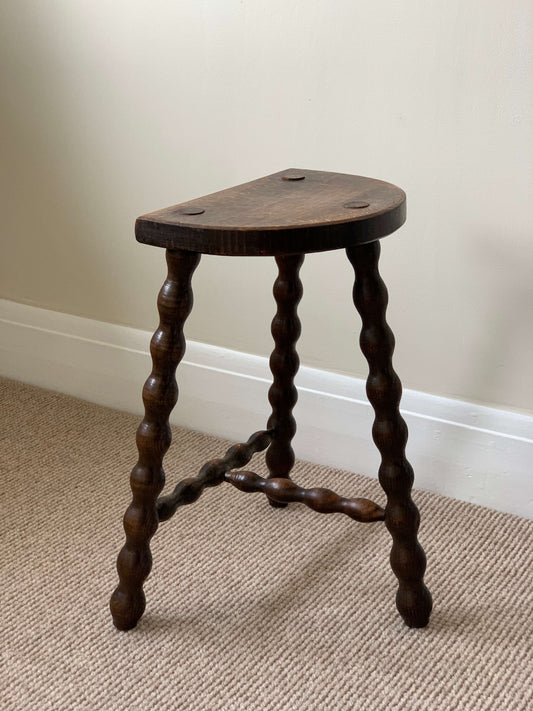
[284, 364]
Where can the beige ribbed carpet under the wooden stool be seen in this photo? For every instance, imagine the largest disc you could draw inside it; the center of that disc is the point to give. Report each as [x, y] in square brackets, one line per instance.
[248, 607]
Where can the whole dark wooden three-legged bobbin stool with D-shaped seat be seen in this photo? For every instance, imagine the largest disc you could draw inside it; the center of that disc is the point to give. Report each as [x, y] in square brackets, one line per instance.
[284, 215]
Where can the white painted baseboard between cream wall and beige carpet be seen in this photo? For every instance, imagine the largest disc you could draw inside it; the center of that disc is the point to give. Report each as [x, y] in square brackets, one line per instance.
[465, 451]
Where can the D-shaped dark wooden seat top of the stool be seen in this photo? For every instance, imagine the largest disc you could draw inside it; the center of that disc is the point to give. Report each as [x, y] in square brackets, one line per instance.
[293, 211]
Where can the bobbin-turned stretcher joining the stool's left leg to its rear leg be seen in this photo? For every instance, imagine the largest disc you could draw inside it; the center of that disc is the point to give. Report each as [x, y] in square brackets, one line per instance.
[211, 474]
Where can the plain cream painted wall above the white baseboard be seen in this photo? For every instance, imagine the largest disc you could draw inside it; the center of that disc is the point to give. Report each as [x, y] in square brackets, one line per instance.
[112, 109]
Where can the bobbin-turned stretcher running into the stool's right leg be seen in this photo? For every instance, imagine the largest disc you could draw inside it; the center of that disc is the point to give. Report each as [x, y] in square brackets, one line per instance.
[284, 491]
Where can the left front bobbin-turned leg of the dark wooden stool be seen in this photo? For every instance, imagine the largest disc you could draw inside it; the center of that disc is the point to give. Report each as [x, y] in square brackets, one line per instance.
[160, 394]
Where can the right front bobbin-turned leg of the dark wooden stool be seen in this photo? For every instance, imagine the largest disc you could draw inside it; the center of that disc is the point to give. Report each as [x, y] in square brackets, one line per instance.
[384, 389]
